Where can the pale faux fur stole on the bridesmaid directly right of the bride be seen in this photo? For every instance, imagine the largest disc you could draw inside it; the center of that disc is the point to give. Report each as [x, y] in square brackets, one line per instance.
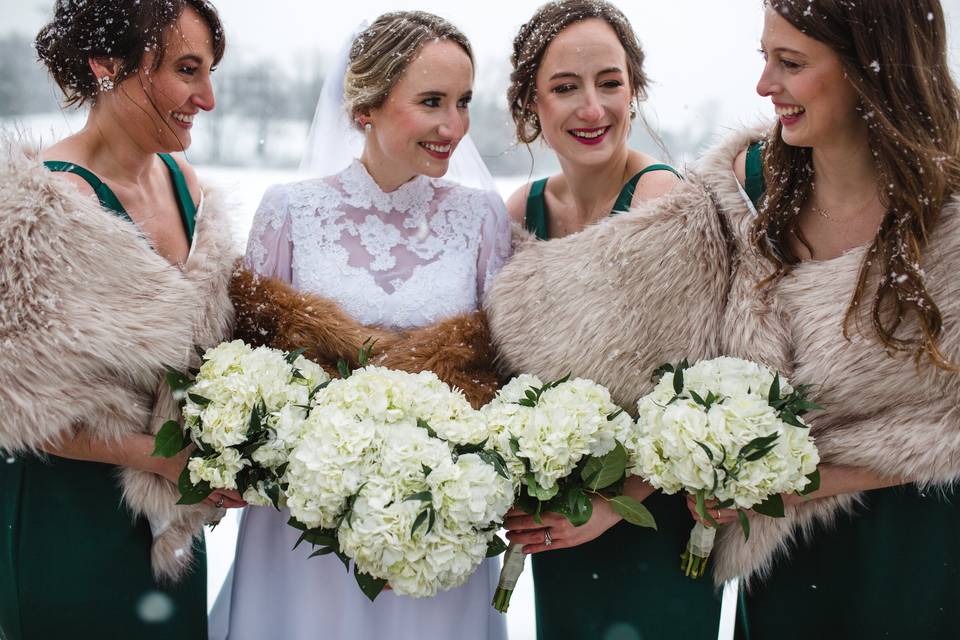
[619, 298]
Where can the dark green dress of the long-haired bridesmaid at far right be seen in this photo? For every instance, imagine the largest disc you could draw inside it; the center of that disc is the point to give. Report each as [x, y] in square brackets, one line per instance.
[890, 570]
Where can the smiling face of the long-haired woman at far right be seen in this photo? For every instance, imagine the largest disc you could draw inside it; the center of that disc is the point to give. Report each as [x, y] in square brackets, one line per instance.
[814, 101]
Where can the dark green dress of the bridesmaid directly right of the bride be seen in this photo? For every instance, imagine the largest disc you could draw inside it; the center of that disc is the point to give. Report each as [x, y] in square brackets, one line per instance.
[625, 584]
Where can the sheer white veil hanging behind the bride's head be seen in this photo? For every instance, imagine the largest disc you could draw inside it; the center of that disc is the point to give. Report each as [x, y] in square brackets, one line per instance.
[333, 141]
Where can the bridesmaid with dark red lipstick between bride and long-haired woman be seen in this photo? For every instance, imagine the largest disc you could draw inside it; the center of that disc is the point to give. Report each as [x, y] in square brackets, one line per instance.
[578, 78]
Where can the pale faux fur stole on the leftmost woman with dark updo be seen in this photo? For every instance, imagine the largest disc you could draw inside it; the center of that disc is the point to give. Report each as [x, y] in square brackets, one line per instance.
[89, 316]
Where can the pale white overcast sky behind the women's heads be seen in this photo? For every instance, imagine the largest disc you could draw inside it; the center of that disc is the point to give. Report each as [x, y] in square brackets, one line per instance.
[701, 54]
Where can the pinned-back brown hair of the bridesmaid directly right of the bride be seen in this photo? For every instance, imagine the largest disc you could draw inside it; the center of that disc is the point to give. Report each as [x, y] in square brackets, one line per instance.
[535, 36]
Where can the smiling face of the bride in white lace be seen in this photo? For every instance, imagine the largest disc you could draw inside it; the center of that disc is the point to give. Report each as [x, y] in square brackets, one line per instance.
[424, 117]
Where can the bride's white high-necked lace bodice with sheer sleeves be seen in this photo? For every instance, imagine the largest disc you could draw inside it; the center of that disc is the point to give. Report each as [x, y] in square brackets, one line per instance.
[421, 253]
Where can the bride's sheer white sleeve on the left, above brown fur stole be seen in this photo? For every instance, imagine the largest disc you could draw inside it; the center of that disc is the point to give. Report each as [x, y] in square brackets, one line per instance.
[269, 248]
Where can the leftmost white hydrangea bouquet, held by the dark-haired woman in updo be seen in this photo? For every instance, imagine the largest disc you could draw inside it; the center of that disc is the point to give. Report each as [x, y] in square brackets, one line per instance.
[243, 411]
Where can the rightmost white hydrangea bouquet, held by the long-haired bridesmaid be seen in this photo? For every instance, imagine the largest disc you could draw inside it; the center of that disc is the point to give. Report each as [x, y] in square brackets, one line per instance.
[729, 430]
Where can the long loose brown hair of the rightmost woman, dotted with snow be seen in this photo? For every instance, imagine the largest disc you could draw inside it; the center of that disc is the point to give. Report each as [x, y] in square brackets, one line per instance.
[894, 54]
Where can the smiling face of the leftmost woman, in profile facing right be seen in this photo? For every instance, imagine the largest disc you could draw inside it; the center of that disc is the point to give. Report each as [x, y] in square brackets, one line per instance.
[158, 105]
